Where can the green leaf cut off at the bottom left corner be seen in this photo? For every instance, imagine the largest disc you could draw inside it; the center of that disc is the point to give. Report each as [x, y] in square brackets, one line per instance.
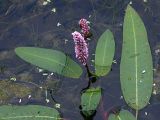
[28, 112]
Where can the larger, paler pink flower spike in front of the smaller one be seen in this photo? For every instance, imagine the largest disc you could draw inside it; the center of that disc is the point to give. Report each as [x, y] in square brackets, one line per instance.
[81, 47]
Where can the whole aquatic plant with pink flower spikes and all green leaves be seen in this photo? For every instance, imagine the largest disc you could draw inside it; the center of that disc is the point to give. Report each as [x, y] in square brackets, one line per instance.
[136, 75]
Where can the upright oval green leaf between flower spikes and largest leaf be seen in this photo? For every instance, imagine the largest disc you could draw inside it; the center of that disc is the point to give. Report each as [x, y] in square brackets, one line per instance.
[104, 53]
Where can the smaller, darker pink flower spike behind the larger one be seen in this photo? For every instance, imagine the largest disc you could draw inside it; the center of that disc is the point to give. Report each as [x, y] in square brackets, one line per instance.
[84, 24]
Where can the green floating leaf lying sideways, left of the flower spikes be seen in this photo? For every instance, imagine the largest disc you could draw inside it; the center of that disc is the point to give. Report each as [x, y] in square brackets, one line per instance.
[52, 60]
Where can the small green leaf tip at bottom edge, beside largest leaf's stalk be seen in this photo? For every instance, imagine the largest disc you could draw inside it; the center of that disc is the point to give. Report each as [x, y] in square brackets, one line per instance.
[123, 115]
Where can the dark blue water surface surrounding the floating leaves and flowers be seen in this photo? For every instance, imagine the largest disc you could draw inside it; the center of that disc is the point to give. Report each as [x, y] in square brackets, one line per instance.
[29, 23]
